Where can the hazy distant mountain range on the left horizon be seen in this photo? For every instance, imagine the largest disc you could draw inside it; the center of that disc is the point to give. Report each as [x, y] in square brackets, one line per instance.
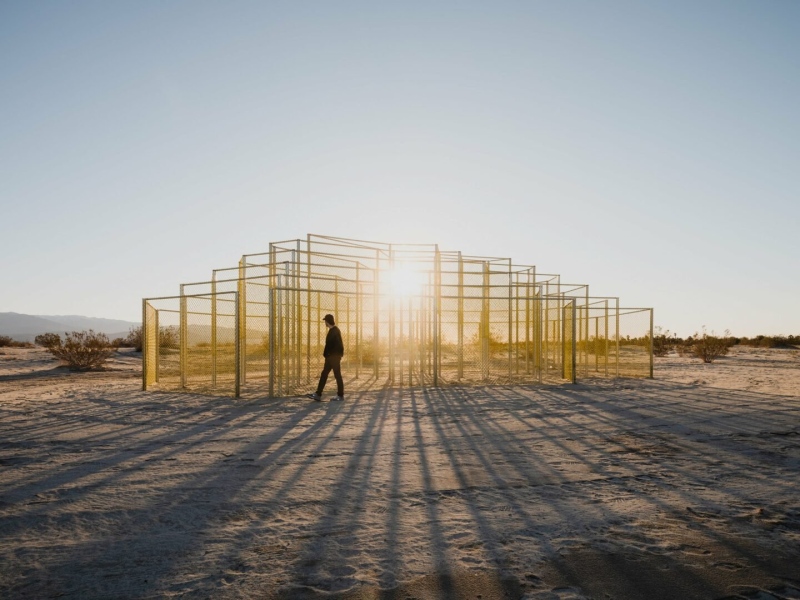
[26, 327]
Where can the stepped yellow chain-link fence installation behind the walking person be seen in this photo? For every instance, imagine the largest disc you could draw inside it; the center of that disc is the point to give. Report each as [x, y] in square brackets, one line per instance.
[409, 315]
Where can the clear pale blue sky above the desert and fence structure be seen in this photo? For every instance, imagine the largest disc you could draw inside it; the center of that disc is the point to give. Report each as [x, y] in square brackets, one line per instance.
[648, 149]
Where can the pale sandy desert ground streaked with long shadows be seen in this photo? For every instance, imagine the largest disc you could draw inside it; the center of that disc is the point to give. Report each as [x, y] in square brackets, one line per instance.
[686, 486]
